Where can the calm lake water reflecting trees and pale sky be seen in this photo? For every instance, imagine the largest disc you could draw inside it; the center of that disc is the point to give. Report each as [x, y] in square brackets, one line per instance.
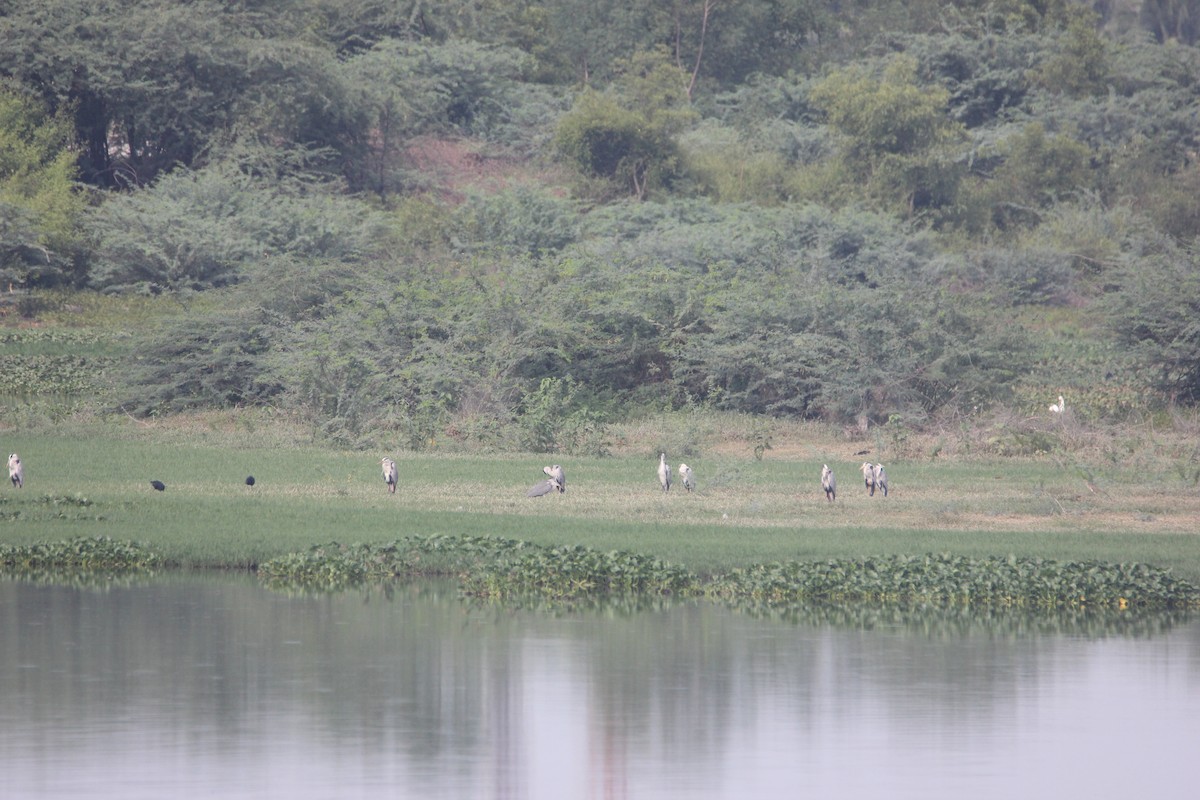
[213, 687]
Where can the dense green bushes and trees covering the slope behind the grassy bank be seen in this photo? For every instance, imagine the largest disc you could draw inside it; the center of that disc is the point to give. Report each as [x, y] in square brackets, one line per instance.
[499, 226]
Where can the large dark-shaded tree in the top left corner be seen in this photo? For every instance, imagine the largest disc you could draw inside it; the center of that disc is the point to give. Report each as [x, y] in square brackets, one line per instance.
[155, 83]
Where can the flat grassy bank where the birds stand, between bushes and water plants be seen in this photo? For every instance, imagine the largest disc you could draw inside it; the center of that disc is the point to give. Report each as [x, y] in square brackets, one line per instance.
[746, 512]
